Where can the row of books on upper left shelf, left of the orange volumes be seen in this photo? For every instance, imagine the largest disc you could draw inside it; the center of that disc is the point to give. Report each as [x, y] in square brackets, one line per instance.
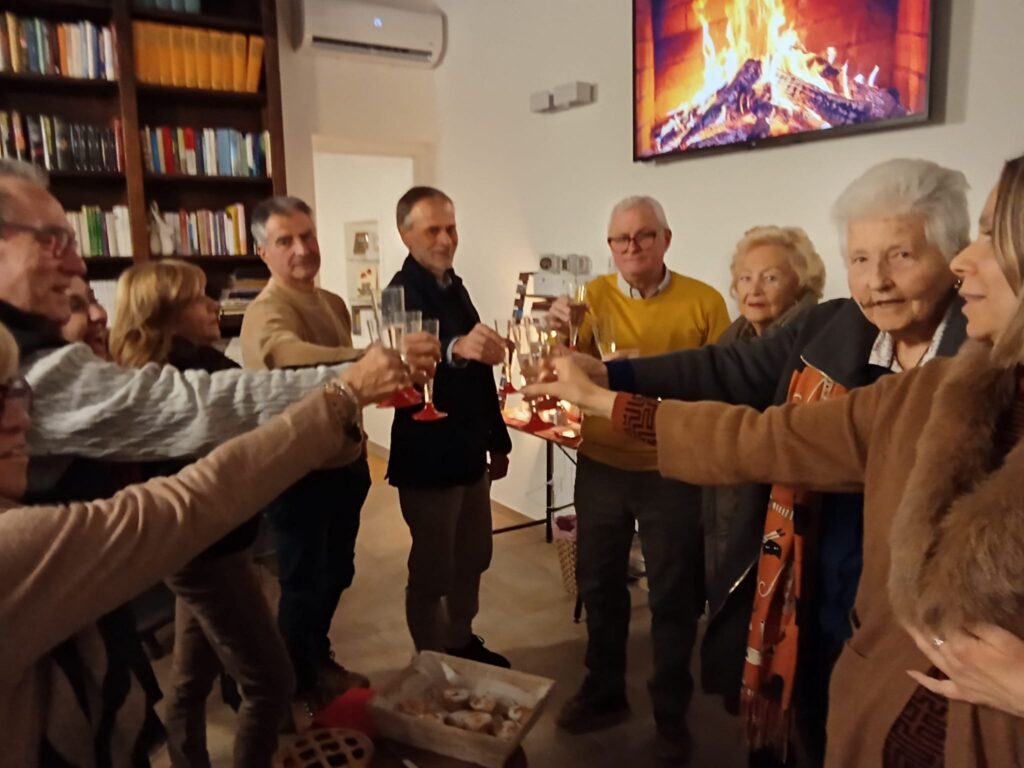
[75, 50]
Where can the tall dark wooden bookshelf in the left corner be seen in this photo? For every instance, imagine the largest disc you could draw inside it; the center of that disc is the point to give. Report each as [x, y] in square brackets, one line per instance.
[139, 105]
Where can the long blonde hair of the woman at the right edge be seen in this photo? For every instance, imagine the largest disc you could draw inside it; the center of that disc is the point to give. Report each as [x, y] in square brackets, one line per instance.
[1008, 240]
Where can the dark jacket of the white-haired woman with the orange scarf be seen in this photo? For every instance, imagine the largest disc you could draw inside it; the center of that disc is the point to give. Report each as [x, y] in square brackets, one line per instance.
[836, 338]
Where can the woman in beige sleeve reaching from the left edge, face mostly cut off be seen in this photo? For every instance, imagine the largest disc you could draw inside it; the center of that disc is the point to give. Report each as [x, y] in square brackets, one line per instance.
[63, 567]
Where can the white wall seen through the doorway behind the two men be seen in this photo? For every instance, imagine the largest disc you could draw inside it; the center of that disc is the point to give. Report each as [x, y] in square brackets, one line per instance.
[360, 188]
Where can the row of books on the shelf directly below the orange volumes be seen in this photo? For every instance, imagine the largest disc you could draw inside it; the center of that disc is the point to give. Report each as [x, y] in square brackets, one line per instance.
[206, 152]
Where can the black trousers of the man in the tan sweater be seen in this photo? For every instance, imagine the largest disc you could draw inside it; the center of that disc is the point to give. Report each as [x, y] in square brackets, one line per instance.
[316, 523]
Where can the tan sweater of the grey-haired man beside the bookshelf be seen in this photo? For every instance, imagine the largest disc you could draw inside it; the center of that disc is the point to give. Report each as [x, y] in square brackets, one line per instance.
[285, 327]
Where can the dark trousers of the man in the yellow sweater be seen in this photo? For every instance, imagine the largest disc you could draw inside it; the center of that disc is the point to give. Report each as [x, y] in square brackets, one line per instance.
[608, 502]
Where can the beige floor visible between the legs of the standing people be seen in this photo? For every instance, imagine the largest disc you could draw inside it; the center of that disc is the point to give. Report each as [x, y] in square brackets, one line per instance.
[527, 615]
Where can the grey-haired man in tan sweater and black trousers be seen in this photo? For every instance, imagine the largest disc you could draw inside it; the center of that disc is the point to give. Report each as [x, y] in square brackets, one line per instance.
[294, 324]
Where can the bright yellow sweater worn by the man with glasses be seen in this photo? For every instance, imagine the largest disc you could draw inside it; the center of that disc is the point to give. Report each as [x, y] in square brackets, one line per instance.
[688, 314]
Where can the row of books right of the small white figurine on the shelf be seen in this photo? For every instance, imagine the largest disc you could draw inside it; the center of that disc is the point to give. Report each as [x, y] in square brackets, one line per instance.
[203, 233]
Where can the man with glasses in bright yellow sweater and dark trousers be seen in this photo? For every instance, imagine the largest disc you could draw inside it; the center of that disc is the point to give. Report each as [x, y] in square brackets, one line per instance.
[652, 311]
